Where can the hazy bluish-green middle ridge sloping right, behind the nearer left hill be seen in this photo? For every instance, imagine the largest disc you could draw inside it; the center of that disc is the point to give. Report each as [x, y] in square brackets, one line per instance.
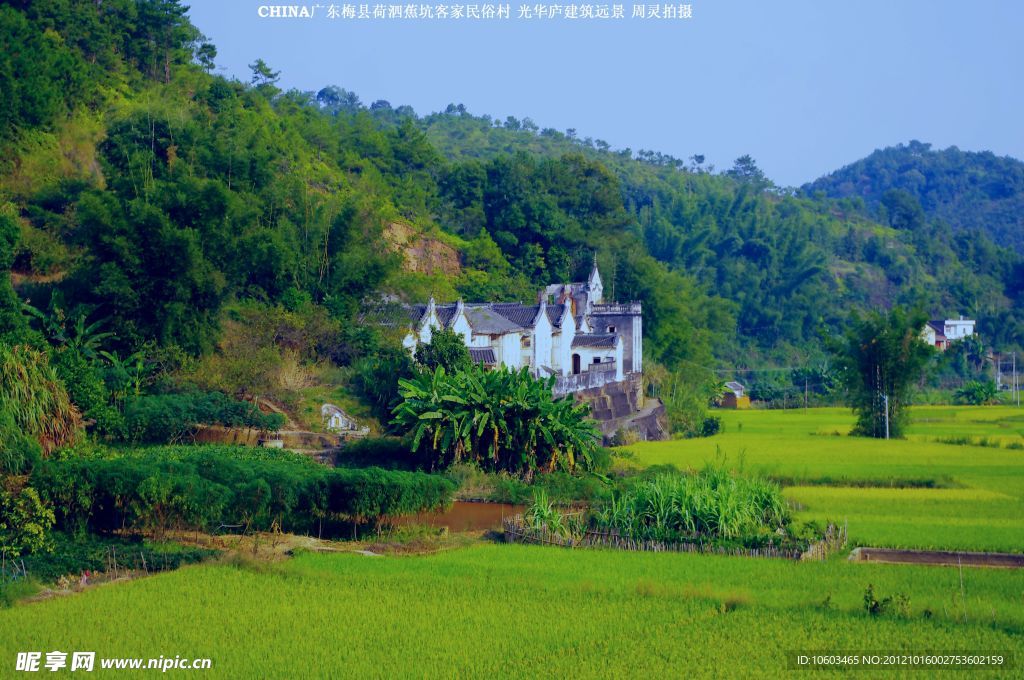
[793, 265]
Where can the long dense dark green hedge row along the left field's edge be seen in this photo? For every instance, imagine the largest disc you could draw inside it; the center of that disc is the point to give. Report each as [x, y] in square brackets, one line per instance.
[206, 491]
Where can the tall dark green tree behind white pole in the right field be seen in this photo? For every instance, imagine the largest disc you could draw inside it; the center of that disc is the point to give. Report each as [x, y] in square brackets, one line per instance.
[881, 358]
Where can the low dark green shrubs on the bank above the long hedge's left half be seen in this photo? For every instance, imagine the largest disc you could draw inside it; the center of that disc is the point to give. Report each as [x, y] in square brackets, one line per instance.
[170, 418]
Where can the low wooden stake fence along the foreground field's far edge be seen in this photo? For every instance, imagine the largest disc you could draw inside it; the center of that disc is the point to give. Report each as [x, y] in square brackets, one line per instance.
[517, 531]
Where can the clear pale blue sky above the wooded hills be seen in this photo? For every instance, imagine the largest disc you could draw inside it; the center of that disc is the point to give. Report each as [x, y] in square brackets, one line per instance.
[804, 87]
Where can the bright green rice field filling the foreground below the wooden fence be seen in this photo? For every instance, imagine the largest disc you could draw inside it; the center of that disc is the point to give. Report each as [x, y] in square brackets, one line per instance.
[498, 611]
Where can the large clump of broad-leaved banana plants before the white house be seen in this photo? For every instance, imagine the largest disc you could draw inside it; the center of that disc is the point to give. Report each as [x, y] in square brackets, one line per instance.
[502, 420]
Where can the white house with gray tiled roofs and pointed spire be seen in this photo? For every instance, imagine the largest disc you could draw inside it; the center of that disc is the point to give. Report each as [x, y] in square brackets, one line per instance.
[572, 333]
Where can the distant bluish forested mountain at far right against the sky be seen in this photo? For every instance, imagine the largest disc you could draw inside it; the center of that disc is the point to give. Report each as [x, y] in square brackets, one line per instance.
[966, 191]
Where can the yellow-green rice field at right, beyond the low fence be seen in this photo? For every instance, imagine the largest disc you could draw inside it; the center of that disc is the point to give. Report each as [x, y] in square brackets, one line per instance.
[978, 502]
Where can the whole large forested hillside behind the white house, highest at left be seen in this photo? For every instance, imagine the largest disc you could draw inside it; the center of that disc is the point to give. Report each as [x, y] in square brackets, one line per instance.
[140, 190]
